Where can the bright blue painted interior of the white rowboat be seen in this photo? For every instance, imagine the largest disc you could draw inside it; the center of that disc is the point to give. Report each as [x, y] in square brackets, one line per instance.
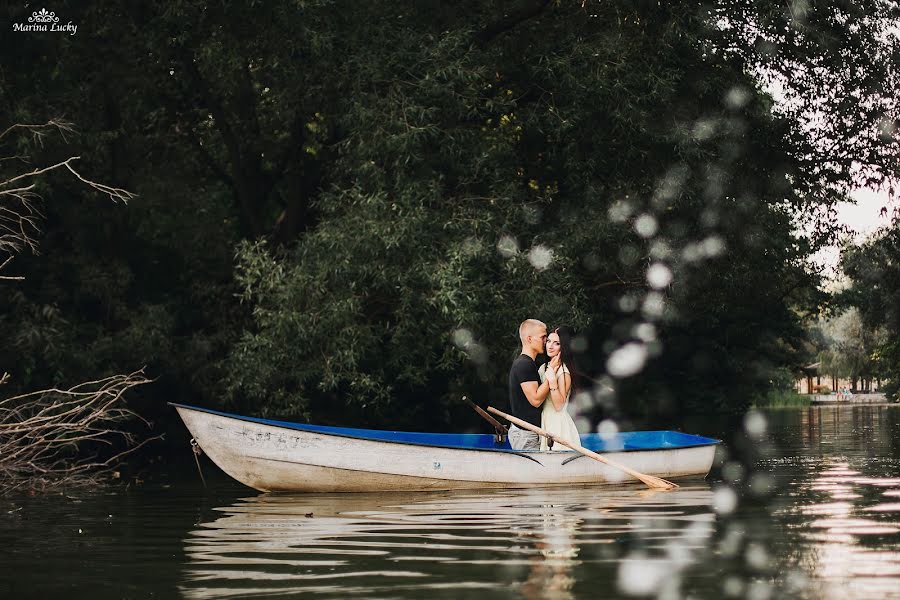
[618, 442]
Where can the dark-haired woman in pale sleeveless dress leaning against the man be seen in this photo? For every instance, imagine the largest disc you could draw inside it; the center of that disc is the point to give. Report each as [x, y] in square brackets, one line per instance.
[555, 417]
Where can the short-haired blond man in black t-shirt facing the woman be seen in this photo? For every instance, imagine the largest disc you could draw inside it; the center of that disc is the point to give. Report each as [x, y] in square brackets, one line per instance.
[526, 392]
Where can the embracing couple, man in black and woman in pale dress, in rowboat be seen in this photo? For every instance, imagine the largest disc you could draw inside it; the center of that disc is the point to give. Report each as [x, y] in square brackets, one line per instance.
[540, 395]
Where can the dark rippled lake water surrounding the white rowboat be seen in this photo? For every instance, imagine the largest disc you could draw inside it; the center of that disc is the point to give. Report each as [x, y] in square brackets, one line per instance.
[803, 503]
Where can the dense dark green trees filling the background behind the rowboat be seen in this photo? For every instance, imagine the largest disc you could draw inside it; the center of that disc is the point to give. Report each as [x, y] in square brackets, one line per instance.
[346, 209]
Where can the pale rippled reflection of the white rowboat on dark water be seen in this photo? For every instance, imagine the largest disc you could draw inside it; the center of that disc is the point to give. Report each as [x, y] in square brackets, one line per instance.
[545, 543]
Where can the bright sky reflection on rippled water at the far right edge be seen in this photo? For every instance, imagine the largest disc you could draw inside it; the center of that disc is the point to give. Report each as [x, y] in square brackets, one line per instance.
[842, 491]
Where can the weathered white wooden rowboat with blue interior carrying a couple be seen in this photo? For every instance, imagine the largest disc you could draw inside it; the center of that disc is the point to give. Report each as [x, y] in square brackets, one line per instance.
[272, 456]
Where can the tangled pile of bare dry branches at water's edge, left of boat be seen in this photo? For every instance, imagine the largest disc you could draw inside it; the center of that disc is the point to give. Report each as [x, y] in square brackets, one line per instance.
[67, 437]
